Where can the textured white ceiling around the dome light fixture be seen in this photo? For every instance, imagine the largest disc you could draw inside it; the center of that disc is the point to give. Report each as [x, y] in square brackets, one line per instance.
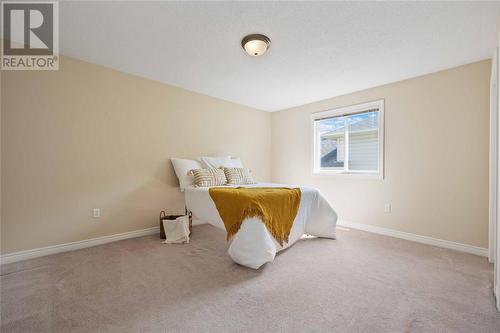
[318, 50]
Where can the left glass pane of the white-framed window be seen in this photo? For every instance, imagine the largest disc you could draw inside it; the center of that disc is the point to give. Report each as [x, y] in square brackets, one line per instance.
[332, 143]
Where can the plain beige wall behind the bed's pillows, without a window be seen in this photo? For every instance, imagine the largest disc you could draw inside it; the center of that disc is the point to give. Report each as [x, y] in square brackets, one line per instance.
[86, 136]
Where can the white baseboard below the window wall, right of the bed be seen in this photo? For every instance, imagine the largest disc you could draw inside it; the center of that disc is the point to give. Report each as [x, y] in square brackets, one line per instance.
[480, 251]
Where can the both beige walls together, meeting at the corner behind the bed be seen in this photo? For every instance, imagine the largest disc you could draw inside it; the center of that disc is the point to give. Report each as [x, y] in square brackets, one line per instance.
[86, 136]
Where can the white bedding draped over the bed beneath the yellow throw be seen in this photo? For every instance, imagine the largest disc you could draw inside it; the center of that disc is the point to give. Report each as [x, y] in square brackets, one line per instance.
[253, 245]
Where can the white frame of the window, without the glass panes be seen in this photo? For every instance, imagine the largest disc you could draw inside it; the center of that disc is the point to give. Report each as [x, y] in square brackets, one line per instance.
[345, 111]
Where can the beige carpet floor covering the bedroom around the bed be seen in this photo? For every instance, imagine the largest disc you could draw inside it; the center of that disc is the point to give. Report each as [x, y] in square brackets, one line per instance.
[360, 282]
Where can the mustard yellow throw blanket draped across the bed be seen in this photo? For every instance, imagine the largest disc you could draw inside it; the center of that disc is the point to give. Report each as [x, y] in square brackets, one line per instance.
[275, 206]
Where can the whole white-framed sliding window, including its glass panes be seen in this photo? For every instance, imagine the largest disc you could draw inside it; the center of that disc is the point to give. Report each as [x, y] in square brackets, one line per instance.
[350, 140]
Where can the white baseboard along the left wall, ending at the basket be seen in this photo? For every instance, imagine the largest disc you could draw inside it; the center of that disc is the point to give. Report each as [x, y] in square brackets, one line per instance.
[44, 251]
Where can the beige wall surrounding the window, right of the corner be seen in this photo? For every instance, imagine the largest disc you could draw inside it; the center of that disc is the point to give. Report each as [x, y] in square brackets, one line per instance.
[436, 156]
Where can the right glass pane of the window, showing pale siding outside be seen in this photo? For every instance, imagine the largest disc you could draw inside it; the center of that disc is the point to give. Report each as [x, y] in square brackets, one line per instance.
[363, 141]
